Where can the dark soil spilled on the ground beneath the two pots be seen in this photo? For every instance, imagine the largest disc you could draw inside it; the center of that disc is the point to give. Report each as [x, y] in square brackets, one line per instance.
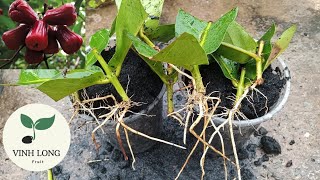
[160, 162]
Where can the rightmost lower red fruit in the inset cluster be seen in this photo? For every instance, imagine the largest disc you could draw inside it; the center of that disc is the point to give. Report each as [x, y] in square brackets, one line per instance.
[69, 41]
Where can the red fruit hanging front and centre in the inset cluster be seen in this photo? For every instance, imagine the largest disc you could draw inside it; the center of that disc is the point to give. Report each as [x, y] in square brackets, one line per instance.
[37, 39]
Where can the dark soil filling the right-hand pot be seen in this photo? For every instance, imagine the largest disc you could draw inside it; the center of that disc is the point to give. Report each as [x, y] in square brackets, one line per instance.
[215, 81]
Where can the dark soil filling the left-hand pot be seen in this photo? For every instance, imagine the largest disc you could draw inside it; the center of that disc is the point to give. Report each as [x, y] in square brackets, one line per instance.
[144, 85]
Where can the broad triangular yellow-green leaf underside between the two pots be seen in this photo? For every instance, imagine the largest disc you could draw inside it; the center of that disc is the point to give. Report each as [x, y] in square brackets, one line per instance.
[184, 51]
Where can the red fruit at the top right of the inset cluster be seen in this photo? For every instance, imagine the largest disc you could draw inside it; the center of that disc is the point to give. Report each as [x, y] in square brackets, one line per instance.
[64, 15]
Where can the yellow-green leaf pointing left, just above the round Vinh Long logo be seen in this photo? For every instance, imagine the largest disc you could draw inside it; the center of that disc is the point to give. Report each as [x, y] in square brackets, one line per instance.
[74, 81]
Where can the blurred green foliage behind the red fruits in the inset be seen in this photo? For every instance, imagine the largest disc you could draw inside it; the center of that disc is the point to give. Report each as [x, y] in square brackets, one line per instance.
[57, 61]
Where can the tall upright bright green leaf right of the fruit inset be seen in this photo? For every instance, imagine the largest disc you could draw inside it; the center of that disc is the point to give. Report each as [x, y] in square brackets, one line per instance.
[130, 18]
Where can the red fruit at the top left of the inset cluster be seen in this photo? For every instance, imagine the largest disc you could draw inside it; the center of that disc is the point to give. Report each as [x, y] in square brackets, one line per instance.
[21, 12]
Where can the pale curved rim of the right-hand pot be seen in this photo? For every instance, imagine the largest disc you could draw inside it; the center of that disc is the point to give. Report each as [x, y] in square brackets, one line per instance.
[278, 106]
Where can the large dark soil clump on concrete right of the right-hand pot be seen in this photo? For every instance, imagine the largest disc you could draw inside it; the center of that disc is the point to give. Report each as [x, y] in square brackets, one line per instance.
[270, 145]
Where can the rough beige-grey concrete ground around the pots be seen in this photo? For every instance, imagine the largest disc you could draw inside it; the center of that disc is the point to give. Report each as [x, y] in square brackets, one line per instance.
[298, 121]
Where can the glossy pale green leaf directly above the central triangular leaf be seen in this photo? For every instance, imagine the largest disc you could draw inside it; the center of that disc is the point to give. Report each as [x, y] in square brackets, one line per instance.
[185, 22]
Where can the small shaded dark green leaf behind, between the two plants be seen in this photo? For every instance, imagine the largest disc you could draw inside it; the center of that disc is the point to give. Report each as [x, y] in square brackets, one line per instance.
[163, 33]
